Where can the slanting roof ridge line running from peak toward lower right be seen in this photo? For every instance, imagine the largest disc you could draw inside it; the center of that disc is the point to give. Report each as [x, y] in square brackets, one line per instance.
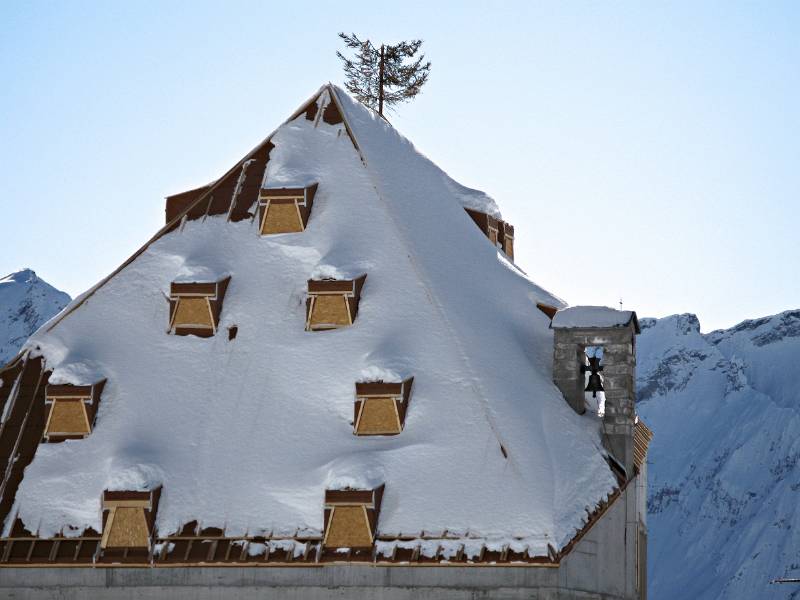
[474, 383]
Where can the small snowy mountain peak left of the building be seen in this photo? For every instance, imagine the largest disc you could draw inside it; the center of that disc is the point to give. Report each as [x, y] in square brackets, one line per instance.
[26, 303]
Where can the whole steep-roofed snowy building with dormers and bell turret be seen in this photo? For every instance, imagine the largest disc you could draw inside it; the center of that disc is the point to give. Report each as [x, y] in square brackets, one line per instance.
[325, 377]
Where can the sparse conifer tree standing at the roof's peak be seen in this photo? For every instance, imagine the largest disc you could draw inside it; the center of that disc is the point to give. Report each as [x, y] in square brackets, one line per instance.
[380, 76]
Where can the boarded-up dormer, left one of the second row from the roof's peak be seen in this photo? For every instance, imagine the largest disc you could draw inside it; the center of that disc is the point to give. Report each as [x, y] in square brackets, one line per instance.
[195, 307]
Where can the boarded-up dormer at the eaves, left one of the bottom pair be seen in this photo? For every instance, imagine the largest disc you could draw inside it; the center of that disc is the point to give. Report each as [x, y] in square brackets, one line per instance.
[129, 519]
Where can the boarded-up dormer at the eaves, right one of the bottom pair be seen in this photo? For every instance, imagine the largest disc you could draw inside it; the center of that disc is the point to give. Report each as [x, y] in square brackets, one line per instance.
[351, 517]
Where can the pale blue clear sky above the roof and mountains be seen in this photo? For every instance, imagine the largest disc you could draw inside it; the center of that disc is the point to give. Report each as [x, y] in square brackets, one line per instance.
[648, 152]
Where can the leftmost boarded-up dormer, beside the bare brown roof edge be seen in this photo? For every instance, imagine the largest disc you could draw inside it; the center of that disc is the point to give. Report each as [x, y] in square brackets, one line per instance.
[71, 411]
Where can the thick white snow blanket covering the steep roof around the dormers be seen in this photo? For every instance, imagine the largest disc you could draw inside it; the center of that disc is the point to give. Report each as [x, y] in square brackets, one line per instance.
[246, 434]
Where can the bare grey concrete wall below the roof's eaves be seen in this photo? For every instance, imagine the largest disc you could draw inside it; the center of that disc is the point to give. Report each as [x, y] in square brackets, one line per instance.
[600, 567]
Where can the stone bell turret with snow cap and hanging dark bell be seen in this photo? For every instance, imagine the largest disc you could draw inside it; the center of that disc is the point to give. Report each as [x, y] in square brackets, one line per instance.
[578, 328]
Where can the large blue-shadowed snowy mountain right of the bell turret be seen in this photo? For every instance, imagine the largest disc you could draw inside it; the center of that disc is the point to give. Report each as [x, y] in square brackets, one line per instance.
[724, 478]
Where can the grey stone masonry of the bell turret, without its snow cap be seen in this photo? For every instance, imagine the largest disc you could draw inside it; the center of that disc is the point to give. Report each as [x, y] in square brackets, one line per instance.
[619, 375]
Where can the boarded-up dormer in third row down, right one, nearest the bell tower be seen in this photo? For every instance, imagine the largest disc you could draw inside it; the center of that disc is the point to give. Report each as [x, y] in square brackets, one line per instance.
[380, 408]
